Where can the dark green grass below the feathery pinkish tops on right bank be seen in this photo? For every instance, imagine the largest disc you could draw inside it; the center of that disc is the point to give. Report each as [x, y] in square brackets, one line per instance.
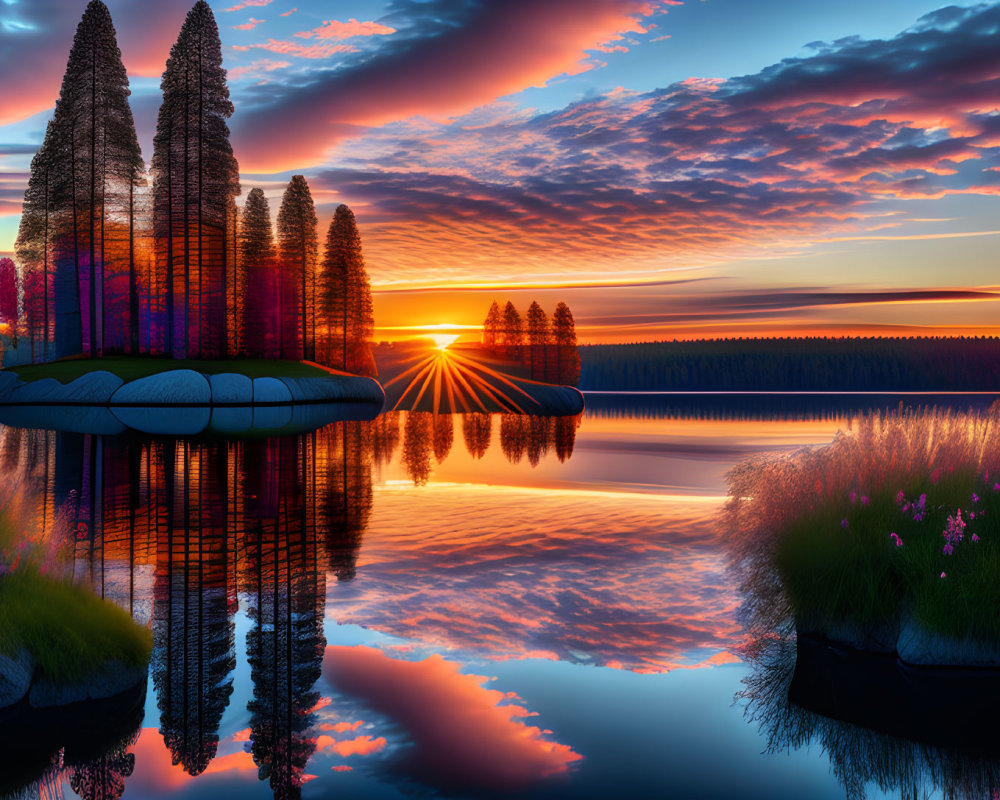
[834, 573]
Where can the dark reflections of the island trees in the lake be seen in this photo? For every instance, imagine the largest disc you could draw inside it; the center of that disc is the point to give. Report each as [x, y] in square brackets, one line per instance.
[183, 532]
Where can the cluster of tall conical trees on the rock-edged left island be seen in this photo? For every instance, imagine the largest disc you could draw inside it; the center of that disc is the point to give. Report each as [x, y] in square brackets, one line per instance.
[115, 259]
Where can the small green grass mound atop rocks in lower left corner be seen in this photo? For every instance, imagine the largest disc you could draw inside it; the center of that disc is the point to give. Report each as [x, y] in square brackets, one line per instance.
[67, 630]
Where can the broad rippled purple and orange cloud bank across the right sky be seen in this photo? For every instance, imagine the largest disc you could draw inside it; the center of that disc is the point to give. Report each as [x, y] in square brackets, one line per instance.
[692, 174]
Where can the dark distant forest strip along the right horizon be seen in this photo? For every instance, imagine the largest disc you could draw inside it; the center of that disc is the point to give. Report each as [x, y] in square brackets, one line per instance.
[806, 364]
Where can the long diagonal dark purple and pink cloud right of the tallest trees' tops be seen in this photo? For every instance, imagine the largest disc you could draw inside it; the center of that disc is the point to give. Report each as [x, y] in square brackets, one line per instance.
[495, 50]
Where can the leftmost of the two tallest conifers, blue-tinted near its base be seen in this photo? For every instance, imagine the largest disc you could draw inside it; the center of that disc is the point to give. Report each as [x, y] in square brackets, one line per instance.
[74, 196]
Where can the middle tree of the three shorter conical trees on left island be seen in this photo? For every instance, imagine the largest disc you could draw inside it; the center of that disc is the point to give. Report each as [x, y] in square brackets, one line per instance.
[297, 250]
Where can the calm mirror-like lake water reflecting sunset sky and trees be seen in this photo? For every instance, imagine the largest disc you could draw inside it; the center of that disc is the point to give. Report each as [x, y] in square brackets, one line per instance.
[459, 606]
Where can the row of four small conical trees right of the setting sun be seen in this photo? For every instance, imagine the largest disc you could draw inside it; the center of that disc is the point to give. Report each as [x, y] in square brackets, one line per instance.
[547, 347]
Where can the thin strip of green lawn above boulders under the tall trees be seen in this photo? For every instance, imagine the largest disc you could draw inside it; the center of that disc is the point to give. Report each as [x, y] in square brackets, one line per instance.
[129, 368]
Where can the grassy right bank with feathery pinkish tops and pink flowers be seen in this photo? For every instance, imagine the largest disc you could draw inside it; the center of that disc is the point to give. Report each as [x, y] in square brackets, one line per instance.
[898, 516]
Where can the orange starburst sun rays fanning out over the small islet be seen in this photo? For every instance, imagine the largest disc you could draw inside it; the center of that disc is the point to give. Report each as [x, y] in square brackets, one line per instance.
[456, 383]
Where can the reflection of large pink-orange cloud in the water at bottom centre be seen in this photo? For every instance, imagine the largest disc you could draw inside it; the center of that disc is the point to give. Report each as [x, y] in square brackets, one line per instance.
[480, 743]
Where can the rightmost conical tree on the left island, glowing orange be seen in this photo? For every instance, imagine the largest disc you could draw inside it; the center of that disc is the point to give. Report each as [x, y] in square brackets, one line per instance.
[346, 296]
